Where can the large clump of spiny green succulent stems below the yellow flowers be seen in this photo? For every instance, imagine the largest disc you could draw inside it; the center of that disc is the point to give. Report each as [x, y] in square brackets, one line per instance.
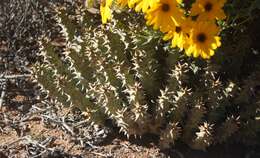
[125, 73]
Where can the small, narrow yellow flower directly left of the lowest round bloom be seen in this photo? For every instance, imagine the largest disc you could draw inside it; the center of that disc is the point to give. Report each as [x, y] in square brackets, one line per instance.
[179, 34]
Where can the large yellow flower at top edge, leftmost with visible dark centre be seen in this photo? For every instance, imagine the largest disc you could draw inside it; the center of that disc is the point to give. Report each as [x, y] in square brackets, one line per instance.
[161, 14]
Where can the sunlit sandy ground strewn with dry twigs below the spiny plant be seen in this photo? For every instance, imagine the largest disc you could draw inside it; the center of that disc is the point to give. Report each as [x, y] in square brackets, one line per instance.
[50, 130]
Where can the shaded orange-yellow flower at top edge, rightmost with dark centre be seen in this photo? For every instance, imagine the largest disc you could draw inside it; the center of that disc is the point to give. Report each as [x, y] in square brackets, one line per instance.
[208, 9]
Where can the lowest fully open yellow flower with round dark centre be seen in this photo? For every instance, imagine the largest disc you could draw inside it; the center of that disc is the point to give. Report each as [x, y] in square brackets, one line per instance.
[203, 40]
